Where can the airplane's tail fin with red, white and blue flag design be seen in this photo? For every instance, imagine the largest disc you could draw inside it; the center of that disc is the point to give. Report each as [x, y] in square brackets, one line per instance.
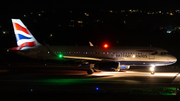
[24, 38]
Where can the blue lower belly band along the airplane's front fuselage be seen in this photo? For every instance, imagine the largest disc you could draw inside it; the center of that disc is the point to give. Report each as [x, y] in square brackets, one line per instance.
[145, 63]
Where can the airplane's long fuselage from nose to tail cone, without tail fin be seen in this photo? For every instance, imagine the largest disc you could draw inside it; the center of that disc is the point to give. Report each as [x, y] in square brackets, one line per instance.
[143, 56]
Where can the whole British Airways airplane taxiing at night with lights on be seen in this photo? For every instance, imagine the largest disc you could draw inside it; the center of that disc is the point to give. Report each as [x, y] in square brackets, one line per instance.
[125, 57]
